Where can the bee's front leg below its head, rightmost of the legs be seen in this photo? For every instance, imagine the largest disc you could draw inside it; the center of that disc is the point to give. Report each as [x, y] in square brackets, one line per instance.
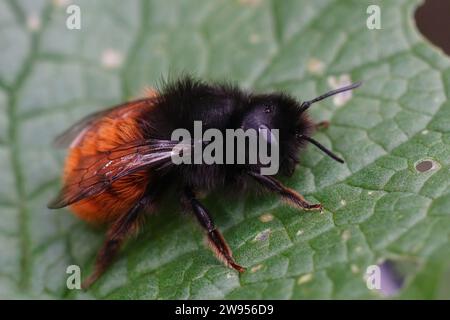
[291, 196]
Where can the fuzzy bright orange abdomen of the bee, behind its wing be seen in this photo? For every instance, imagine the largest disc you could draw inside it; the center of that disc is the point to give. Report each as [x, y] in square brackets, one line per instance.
[117, 128]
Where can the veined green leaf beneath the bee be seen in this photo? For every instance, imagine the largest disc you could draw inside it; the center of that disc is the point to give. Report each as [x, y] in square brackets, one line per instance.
[378, 206]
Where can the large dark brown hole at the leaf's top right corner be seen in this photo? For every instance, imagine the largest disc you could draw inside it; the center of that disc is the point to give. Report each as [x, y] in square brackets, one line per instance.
[433, 21]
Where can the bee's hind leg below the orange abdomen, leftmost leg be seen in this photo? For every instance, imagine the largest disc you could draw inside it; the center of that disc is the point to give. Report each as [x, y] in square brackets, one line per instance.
[119, 231]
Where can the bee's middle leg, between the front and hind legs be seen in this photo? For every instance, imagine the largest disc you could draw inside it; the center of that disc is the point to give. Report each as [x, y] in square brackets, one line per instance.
[215, 238]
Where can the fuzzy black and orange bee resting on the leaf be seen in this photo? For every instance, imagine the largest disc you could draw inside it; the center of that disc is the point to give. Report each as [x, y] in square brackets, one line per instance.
[119, 164]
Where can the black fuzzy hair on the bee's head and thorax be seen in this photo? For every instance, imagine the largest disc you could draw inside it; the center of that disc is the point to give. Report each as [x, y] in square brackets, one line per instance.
[224, 106]
